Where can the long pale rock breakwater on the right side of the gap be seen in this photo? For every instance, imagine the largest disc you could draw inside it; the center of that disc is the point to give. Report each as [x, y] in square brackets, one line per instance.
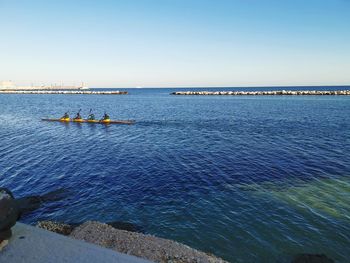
[266, 93]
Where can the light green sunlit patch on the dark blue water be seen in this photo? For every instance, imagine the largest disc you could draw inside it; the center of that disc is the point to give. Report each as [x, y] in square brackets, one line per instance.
[324, 196]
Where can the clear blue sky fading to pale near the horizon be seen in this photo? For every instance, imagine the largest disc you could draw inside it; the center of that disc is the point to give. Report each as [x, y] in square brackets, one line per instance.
[167, 43]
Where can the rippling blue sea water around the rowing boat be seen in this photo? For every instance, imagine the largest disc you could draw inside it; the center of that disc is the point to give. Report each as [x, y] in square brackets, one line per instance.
[249, 179]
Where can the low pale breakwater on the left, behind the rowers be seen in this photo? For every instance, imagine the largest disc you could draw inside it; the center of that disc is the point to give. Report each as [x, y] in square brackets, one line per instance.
[85, 92]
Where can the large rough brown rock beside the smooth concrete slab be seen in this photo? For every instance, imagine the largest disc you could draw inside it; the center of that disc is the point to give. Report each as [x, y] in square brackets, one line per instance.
[140, 245]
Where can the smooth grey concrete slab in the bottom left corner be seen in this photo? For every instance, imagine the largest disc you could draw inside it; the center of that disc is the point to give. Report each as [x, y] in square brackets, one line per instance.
[34, 245]
